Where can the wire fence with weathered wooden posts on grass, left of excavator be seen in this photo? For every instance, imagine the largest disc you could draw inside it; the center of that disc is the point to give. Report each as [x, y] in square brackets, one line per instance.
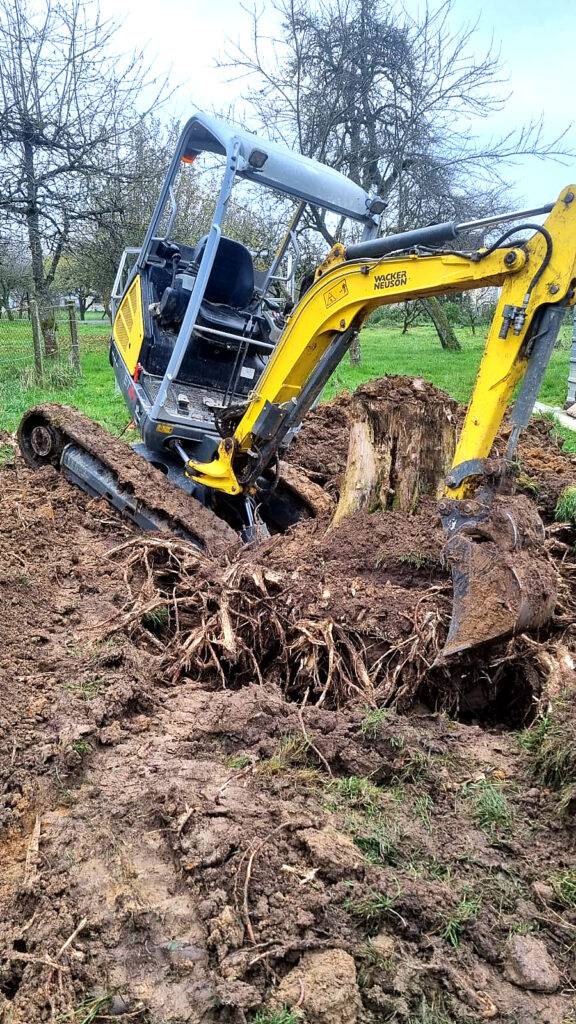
[46, 347]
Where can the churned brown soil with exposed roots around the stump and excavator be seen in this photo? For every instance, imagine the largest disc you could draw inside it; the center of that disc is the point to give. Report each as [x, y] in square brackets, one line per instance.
[235, 790]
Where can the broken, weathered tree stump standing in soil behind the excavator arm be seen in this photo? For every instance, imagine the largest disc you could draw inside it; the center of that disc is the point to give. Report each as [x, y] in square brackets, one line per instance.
[402, 444]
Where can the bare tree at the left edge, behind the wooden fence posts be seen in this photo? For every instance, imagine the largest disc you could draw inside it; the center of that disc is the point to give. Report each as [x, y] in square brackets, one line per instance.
[68, 103]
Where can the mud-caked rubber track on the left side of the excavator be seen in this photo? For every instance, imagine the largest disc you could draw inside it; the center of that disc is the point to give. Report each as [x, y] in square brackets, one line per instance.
[146, 483]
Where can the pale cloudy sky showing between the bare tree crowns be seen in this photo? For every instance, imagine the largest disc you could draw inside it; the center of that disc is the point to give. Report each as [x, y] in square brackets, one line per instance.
[538, 42]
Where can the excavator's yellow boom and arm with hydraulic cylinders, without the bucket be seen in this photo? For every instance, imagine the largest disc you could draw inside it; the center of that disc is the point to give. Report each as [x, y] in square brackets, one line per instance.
[533, 276]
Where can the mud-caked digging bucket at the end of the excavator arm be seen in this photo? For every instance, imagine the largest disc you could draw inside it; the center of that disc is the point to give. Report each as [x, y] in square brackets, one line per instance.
[504, 583]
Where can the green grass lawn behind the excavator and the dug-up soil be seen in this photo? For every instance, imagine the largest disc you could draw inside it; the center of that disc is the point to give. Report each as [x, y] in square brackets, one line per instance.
[385, 351]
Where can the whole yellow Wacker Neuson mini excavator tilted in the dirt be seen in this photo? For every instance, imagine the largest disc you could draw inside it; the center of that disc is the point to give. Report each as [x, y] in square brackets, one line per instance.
[219, 378]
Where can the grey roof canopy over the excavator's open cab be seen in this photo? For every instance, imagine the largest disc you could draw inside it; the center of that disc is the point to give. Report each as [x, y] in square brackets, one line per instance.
[277, 167]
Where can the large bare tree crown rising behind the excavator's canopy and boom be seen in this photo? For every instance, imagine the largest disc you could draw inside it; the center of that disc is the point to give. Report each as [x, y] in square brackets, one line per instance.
[392, 101]
